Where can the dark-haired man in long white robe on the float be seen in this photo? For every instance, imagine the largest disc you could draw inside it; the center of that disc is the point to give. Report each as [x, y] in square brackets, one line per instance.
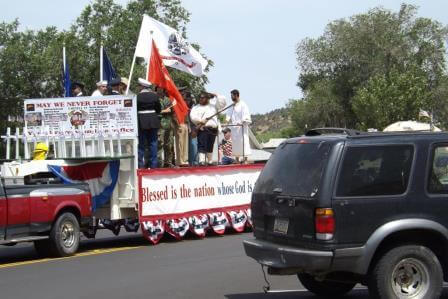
[239, 119]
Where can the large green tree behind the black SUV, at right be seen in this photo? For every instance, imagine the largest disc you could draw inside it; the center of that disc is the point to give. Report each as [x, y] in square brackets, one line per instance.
[371, 60]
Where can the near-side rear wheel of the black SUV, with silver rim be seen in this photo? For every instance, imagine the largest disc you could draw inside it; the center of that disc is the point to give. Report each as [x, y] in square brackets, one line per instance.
[410, 271]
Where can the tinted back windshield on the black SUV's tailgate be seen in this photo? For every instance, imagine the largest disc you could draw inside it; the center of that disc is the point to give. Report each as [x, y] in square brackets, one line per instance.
[295, 168]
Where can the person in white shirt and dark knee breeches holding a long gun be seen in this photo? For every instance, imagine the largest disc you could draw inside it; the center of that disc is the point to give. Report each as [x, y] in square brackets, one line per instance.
[203, 116]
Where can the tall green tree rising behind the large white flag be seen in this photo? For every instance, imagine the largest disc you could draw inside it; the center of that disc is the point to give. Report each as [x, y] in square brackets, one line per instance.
[117, 28]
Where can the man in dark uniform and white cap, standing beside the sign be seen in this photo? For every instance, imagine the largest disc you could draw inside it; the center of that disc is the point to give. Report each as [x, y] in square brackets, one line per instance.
[148, 109]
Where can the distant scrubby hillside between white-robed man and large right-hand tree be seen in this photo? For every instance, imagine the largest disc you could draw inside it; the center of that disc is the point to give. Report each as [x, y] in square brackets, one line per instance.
[271, 124]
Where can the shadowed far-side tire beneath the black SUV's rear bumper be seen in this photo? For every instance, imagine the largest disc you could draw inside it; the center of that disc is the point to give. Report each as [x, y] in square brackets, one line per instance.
[325, 288]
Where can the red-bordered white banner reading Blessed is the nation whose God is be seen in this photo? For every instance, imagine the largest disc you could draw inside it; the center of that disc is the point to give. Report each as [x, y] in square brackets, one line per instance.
[168, 194]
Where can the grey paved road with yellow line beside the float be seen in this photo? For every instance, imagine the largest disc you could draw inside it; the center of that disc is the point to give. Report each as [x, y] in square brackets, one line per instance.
[127, 267]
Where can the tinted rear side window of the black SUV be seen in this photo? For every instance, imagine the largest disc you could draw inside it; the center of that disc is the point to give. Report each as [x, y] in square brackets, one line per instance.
[375, 170]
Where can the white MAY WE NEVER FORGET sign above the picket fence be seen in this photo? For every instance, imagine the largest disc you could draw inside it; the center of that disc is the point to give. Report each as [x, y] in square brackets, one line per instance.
[92, 114]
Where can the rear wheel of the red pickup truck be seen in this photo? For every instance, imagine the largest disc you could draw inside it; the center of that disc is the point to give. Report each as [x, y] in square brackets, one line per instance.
[64, 235]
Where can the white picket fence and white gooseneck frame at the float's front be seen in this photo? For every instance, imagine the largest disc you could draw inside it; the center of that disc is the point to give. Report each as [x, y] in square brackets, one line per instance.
[75, 144]
